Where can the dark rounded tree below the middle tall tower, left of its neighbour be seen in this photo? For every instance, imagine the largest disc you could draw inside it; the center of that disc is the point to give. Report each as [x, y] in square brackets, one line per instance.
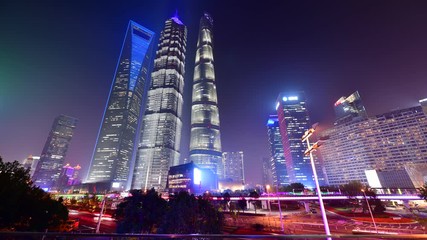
[141, 212]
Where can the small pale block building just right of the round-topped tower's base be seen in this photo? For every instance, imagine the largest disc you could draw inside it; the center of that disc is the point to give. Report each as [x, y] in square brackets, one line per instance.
[234, 170]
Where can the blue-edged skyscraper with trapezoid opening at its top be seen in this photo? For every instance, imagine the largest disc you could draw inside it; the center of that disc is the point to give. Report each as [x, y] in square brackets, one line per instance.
[118, 135]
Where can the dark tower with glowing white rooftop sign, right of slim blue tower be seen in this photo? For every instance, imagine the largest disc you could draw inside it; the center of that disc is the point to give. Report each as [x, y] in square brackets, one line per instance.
[293, 122]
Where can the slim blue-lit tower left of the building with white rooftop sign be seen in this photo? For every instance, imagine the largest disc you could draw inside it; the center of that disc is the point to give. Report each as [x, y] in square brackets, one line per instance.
[277, 163]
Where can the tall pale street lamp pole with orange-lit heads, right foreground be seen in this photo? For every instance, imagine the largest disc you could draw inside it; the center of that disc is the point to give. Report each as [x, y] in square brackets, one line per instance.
[309, 151]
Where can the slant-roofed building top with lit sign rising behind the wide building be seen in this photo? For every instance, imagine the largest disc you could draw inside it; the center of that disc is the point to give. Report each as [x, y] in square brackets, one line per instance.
[348, 109]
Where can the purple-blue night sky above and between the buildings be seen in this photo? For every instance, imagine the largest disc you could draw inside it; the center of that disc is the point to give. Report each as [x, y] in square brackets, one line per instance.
[59, 57]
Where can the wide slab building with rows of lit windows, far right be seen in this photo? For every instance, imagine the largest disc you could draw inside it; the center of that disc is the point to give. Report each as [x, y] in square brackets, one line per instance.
[389, 142]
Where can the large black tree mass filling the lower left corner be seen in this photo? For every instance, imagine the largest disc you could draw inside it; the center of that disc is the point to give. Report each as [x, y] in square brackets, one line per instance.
[24, 206]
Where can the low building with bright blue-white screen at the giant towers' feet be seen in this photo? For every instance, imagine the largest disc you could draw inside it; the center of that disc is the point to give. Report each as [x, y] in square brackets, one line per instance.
[191, 178]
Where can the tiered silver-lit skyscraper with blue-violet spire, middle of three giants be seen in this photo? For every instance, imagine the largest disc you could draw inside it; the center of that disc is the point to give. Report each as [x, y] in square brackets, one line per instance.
[161, 126]
